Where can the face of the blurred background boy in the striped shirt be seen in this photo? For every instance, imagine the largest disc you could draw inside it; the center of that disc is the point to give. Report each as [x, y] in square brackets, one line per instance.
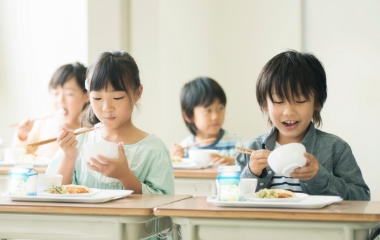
[209, 120]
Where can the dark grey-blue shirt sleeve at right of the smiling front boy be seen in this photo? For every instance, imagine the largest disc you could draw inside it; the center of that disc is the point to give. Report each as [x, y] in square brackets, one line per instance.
[345, 180]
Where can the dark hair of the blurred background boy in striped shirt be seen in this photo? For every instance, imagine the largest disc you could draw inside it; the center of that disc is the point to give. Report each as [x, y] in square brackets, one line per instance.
[202, 91]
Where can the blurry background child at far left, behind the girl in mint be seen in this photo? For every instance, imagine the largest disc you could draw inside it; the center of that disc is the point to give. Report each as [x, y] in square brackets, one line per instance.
[69, 95]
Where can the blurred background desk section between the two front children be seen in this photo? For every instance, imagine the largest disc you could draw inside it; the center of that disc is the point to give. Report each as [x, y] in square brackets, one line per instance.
[198, 182]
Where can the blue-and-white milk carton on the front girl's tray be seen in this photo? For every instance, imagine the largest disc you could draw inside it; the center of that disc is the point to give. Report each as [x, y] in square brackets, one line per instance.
[23, 181]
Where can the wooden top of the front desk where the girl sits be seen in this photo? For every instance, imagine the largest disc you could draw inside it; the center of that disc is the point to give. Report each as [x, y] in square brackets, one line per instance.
[135, 204]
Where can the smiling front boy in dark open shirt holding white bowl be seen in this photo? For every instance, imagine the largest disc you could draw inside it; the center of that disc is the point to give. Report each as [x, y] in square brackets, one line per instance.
[292, 89]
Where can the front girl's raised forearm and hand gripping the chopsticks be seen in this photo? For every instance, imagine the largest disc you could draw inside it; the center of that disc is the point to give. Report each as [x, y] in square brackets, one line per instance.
[68, 143]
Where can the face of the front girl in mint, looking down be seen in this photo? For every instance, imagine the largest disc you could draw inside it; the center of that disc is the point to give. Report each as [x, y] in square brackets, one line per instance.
[113, 108]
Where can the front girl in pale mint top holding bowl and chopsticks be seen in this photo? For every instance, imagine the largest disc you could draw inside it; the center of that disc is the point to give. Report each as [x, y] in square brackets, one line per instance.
[144, 164]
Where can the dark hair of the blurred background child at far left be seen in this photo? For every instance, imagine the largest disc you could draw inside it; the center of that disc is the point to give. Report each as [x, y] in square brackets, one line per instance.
[66, 72]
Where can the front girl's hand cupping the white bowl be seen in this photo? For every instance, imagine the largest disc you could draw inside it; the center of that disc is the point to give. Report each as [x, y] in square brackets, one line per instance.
[115, 168]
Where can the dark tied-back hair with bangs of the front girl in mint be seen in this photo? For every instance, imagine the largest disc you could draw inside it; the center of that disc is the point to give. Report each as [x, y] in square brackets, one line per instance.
[114, 68]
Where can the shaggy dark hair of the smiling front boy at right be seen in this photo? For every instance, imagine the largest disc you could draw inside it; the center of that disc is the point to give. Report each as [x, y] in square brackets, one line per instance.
[291, 74]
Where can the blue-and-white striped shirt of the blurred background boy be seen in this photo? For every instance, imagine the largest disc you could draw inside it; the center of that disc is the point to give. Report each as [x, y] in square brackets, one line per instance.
[225, 143]
